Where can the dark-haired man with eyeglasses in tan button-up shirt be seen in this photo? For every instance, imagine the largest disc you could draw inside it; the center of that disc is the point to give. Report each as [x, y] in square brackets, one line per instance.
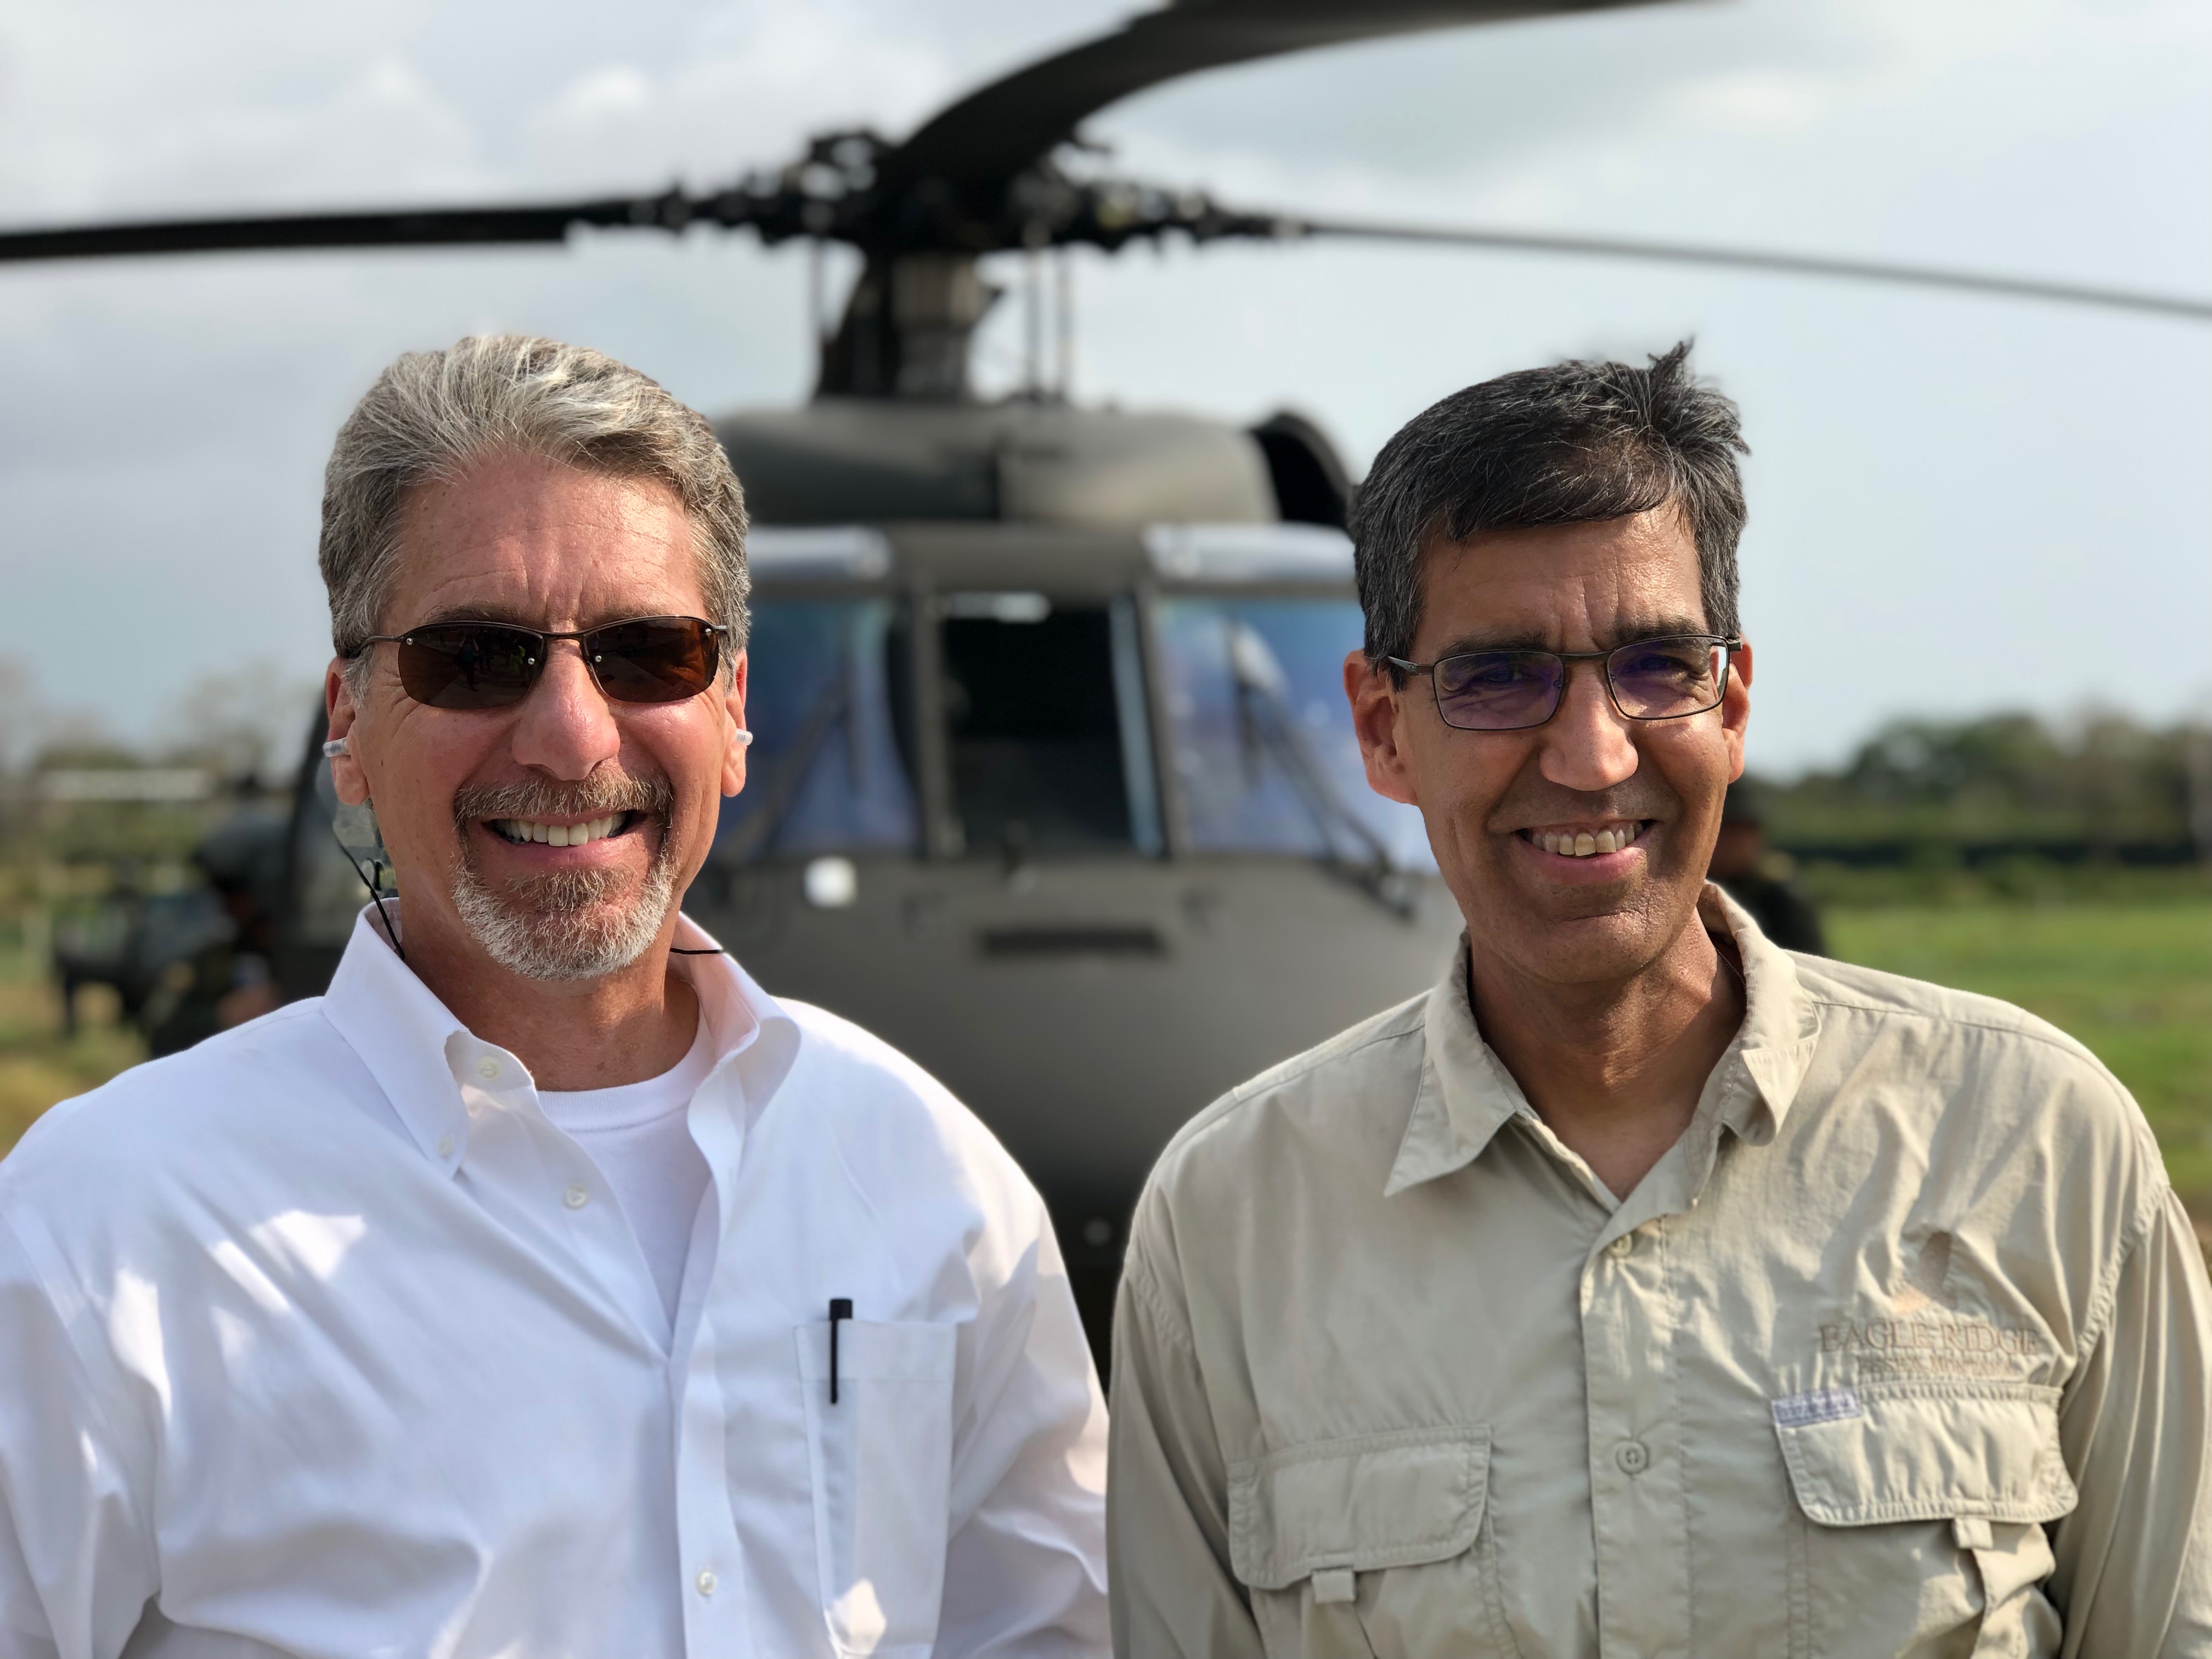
[1642, 1288]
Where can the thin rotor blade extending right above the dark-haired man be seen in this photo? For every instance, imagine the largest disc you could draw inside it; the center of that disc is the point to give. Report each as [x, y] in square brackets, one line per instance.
[1868, 271]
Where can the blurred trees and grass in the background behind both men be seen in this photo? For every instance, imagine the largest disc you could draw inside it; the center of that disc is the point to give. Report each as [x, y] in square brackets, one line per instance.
[2065, 868]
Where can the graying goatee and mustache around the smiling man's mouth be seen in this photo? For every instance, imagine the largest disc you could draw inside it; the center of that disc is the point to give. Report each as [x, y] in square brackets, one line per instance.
[572, 924]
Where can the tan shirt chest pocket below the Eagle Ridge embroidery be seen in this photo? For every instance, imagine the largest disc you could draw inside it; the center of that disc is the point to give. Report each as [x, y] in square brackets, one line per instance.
[1928, 1507]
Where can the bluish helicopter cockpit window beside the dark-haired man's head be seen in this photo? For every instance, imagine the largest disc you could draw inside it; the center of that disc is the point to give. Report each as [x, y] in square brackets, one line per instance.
[1264, 744]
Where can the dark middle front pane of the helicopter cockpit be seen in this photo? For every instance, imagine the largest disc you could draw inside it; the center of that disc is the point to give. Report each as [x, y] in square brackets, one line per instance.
[1045, 724]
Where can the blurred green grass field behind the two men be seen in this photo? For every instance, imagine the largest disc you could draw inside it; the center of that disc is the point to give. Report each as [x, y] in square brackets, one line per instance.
[2129, 979]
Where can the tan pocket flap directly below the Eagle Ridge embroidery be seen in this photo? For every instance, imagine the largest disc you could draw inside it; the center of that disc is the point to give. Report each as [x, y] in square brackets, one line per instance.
[1928, 1450]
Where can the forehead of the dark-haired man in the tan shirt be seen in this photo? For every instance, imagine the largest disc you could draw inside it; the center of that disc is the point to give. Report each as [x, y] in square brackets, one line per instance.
[1563, 587]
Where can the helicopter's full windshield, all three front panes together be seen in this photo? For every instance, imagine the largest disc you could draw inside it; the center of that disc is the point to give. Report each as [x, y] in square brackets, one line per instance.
[1047, 740]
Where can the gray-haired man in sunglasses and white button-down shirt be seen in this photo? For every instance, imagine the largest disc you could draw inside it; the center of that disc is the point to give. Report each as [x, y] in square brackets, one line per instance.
[547, 1286]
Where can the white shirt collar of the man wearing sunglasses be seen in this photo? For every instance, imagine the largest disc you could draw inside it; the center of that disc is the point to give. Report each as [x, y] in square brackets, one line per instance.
[437, 1072]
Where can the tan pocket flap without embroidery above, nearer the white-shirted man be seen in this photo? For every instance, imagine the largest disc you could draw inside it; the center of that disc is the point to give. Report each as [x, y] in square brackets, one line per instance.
[1368, 1503]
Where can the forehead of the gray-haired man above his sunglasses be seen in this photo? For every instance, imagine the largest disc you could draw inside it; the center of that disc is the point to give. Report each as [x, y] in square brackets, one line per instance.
[543, 545]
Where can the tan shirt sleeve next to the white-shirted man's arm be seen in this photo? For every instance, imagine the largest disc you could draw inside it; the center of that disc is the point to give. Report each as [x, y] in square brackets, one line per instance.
[1167, 1532]
